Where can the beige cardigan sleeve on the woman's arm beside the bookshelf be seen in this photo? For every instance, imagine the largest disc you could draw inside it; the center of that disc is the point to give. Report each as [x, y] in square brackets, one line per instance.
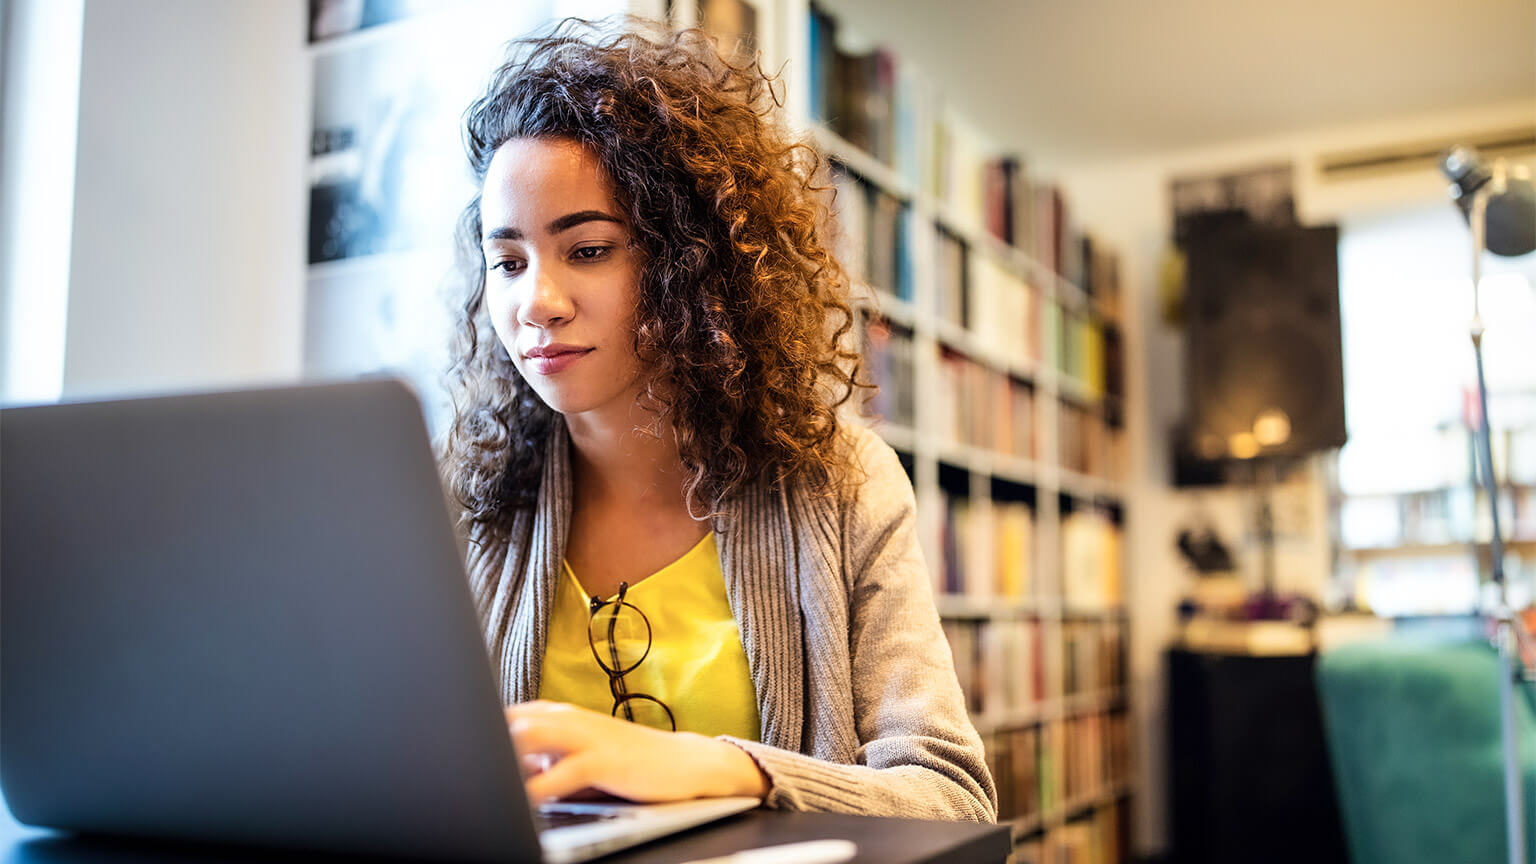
[919, 754]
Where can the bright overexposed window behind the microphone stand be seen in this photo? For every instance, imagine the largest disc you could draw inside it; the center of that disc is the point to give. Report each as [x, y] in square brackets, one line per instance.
[1408, 508]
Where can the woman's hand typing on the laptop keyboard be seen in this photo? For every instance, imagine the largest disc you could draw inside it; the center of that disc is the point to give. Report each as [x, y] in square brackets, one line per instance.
[617, 757]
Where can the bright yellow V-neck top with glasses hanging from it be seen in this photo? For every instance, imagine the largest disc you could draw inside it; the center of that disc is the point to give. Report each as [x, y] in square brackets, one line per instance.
[697, 665]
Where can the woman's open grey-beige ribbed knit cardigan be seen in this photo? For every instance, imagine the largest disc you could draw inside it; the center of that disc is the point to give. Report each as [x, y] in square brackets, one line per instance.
[856, 688]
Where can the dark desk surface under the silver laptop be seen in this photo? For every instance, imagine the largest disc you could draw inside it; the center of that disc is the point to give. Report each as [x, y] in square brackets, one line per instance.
[884, 842]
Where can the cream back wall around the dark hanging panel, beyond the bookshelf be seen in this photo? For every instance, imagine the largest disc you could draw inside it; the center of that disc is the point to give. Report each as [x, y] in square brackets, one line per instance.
[1127, 204]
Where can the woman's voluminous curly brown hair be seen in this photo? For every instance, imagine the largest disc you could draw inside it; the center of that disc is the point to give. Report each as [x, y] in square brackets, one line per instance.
[743, 311]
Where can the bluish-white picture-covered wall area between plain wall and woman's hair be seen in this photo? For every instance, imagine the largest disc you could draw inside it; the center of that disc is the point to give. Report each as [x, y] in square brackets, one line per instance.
[388, 181]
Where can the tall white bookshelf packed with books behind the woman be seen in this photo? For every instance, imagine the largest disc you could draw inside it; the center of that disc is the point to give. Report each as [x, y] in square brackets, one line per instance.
[996, 337]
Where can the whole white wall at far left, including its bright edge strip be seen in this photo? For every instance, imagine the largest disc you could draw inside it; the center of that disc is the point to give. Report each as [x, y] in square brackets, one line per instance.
[156, 204]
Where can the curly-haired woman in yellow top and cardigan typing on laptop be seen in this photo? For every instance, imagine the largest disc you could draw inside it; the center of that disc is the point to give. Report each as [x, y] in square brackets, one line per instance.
[695, 579]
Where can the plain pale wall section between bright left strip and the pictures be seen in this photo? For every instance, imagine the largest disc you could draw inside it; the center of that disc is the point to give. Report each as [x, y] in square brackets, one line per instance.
[187, 264]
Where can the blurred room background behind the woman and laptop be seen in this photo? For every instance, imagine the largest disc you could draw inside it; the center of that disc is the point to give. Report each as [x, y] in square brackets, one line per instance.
[1168, 304]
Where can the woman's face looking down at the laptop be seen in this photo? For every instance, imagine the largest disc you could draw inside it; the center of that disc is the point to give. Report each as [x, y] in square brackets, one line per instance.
[561, 277]
